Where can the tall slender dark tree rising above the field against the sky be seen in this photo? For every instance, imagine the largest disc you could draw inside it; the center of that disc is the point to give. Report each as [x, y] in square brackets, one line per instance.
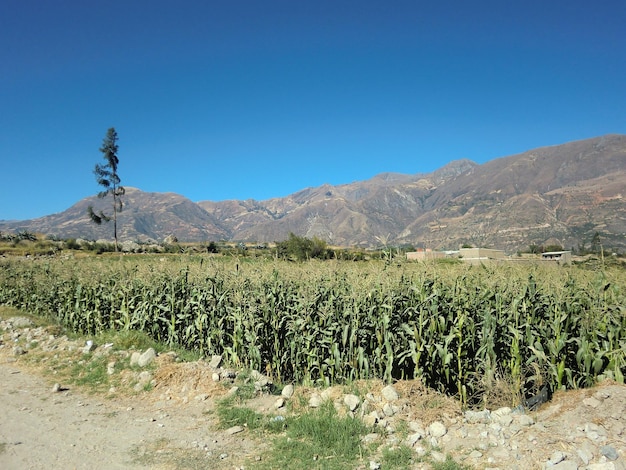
[107, 177]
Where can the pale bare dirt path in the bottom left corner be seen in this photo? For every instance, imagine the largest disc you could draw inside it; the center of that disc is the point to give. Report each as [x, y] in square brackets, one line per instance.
[43, 429]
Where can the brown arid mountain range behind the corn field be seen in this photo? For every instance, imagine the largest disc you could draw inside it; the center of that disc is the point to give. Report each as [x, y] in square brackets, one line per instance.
[562, 194]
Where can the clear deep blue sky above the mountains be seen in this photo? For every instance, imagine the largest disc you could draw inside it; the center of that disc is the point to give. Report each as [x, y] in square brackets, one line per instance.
[243, 99]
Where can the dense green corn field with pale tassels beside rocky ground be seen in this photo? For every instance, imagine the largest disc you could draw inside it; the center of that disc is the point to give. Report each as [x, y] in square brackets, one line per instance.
[332, 322]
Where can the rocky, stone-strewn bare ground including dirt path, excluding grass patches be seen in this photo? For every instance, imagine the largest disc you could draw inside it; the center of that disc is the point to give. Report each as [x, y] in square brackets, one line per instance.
[159, 415]
